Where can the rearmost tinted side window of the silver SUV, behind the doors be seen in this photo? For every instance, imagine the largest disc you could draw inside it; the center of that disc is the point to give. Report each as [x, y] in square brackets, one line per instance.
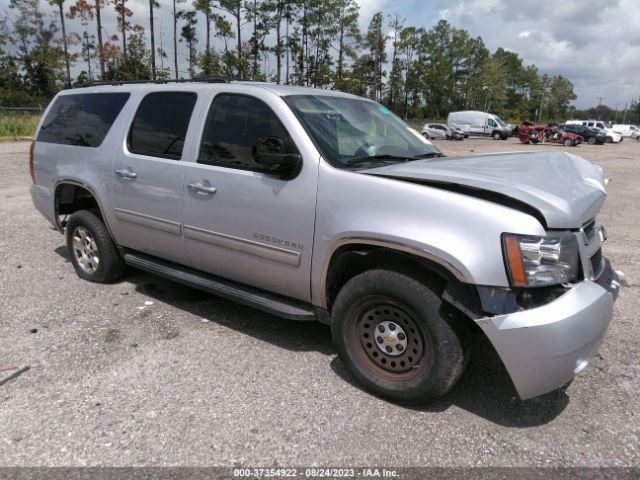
[83, 120]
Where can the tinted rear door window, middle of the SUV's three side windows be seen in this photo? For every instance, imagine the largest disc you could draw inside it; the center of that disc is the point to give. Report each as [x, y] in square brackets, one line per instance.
[160, 125]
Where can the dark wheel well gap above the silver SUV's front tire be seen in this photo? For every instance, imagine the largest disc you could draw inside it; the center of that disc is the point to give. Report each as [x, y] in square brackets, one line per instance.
[351, 260]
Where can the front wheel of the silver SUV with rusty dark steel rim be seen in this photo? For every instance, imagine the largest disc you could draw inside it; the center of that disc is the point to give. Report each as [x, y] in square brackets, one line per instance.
[433, 358]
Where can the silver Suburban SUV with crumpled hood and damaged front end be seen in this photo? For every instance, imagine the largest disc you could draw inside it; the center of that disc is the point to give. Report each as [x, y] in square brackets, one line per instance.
[317, 205]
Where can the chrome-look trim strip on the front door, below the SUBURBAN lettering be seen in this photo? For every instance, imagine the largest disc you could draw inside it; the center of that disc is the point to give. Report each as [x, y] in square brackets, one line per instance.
[268, 252]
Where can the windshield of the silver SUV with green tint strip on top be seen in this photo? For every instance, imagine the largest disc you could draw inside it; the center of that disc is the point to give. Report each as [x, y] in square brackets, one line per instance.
[350, 131]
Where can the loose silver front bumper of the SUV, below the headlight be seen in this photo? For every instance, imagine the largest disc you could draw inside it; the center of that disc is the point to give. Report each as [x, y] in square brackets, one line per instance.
[545, 347]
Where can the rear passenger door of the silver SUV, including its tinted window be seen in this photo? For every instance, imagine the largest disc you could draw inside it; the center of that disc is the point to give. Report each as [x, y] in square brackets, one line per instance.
[147, 177]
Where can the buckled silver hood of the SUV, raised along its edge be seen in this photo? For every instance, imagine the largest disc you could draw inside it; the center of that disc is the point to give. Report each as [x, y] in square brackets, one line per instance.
[562, 190]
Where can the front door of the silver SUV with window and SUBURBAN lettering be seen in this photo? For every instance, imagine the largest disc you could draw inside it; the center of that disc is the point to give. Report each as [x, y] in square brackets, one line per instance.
[241, 222]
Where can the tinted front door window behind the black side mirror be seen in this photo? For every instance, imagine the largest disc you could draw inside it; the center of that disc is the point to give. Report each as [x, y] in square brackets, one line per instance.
[234, 125]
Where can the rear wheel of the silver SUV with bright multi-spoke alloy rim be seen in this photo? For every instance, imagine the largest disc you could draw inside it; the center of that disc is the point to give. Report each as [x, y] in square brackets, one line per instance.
[90, 235]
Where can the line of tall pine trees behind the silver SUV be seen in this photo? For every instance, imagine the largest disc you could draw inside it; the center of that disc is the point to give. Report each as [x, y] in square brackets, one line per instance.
[417, 72]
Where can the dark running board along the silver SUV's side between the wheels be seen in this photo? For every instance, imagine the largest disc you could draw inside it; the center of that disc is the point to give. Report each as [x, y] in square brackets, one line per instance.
[267, 302]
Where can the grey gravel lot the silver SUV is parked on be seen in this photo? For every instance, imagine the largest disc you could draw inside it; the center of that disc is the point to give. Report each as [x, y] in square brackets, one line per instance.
[148, 372]
